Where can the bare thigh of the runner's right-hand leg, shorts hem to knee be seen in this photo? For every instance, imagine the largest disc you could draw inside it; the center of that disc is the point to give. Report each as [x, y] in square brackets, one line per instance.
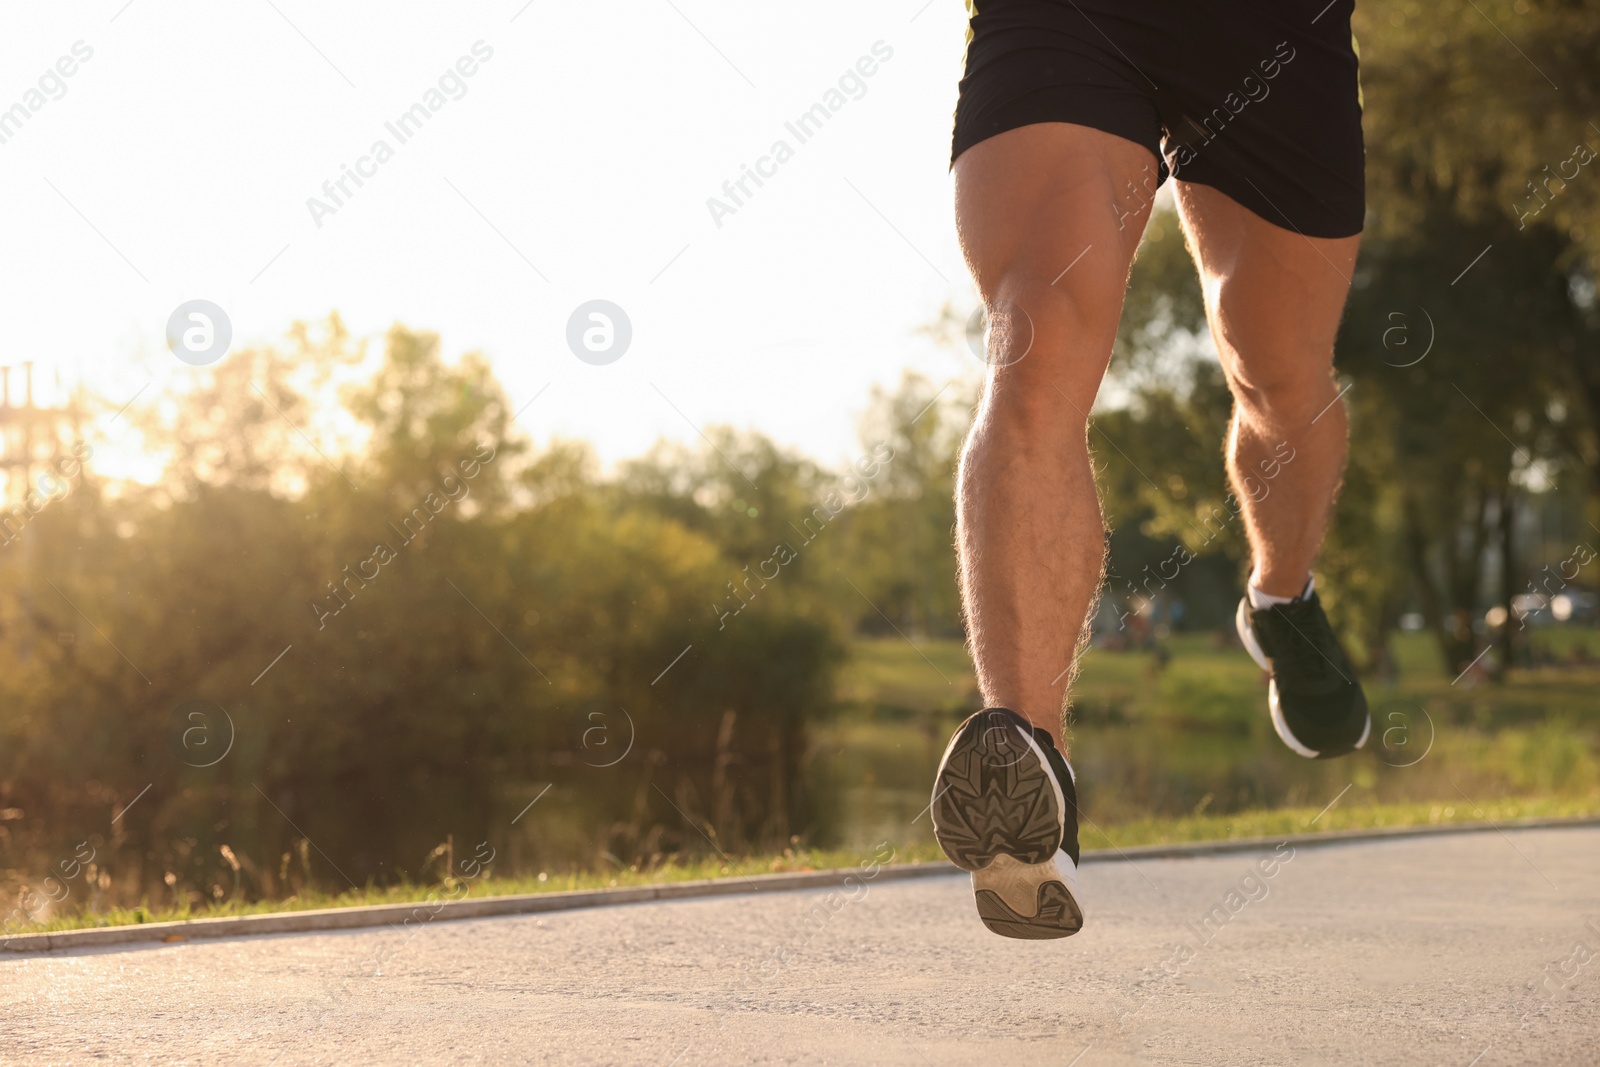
[1273, 297]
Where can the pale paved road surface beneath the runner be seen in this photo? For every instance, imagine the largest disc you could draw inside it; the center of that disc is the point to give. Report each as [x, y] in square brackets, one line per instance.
[1420, 951]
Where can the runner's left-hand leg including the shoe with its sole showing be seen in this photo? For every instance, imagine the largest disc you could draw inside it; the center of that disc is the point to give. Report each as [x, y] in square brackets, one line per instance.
[1049, 242]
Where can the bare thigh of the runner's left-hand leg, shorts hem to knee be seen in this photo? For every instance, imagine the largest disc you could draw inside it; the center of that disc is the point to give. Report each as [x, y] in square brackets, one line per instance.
[1050, 217]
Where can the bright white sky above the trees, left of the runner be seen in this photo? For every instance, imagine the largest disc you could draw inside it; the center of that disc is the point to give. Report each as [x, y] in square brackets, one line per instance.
[177, 162]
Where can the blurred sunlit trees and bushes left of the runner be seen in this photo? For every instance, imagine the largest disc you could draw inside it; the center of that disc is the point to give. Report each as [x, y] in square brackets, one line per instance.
[337, 634]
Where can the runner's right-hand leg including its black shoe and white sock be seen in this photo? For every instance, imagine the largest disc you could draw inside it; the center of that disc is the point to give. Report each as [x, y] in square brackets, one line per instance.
[1274, 302]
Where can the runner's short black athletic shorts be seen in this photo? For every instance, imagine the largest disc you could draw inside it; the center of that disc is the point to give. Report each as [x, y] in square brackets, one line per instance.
[1257, 98]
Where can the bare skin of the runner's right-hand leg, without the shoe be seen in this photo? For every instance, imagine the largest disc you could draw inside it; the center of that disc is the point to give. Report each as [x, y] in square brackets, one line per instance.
[1274, 302]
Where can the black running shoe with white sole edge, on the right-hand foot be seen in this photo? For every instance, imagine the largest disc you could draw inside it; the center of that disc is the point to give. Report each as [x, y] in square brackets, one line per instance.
[1318, 705]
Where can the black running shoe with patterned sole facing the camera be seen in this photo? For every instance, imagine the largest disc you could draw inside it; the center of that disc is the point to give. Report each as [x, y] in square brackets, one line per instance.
[1006, 807]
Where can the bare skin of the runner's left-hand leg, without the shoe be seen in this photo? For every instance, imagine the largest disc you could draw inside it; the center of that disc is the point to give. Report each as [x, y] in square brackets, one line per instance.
[1049, 233]
